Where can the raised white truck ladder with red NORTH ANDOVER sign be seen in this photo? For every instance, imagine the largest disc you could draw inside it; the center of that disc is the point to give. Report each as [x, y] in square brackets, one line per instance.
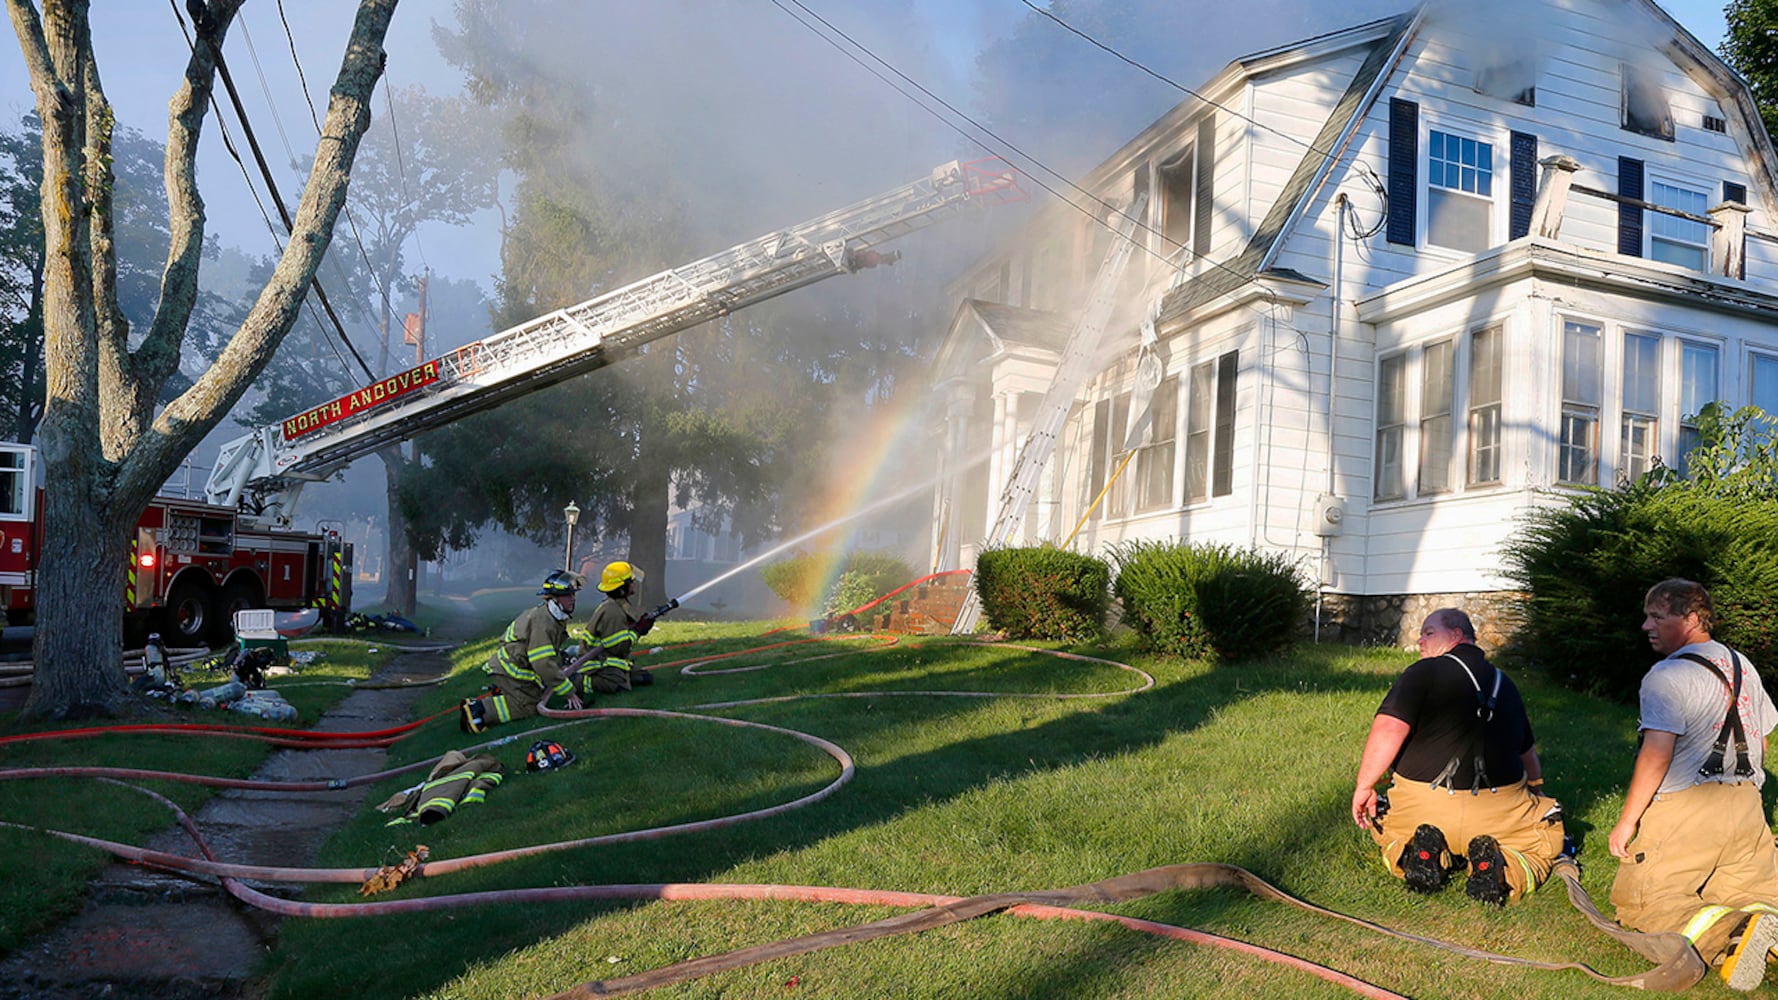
[262, 472]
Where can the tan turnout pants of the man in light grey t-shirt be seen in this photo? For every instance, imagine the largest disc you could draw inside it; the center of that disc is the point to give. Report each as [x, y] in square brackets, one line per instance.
[1697, 853]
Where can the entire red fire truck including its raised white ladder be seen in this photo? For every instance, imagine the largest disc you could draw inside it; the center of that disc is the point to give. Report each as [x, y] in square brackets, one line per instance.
[198, 561]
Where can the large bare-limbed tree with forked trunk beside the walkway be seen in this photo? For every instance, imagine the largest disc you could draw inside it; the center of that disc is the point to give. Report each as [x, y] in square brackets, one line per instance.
[106, 446]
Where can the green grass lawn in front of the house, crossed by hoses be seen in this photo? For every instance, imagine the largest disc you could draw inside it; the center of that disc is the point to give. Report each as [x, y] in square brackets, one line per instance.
[1240, 764]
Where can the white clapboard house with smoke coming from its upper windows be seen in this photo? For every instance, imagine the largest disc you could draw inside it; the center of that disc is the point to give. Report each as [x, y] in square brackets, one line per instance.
[1526, 262]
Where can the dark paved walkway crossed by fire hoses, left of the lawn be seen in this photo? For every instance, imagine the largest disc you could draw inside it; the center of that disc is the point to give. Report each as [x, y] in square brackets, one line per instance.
[152, 935]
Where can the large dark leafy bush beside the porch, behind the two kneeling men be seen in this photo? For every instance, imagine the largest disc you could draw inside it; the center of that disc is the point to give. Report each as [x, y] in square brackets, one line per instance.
[1589, 565]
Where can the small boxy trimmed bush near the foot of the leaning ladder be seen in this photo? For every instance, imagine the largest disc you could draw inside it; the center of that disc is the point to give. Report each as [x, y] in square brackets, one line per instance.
[1043, 593]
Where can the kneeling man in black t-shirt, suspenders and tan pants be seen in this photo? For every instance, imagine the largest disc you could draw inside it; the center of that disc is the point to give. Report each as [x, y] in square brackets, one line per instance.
[1454, 730]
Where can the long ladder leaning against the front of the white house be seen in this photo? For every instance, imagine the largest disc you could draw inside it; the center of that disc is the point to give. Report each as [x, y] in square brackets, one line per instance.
[1078, 364]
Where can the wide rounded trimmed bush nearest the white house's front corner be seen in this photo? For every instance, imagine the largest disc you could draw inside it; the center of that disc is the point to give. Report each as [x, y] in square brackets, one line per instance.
[1210, 602]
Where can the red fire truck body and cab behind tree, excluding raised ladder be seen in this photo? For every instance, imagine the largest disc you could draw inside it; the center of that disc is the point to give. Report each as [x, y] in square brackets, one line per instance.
[193, 563]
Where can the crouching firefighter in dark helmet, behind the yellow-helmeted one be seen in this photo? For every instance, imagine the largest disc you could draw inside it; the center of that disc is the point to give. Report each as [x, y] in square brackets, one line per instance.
[527, 668]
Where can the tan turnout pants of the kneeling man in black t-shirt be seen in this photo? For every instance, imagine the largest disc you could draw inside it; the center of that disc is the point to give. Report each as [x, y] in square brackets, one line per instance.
[1526, 827]
